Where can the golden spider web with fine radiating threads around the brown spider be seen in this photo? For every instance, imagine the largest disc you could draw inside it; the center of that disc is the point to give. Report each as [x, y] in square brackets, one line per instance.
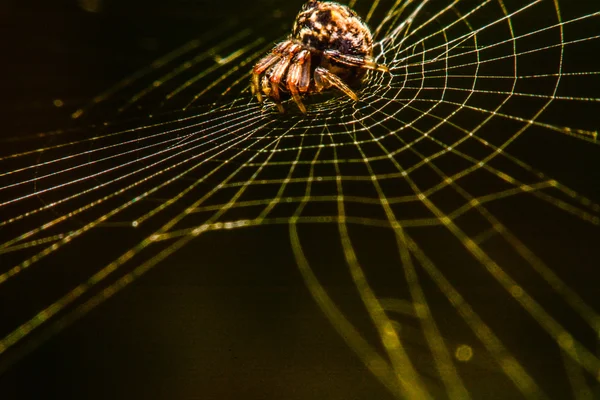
[444, 224]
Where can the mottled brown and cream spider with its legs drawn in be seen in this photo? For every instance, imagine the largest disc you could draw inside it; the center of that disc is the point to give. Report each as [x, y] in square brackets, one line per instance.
[328, 42]
